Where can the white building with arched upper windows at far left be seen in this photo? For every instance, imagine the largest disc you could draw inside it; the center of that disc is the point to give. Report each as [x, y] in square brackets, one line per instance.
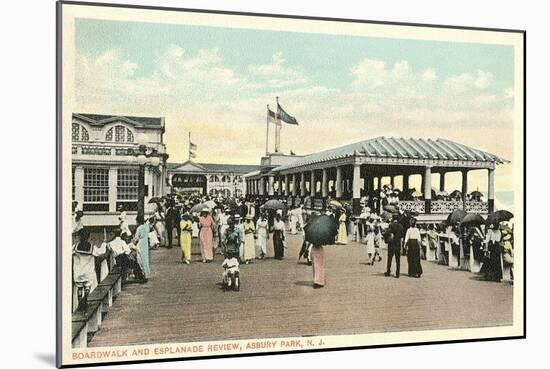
[105, 168]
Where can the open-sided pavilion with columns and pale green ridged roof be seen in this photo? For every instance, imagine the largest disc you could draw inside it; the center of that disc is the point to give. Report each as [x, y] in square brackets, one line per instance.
[351, 170]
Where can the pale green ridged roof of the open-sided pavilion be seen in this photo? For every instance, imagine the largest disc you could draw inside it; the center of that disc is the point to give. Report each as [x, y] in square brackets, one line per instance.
[400, 148]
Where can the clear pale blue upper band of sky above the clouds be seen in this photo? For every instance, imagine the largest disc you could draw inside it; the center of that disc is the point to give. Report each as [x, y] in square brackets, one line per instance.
[326, 58]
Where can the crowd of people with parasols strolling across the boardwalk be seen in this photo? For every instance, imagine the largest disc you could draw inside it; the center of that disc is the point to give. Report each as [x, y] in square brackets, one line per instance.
[241, 230]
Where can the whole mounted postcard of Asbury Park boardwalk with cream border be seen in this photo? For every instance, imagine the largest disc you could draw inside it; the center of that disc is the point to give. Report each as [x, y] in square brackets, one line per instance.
[236, 184]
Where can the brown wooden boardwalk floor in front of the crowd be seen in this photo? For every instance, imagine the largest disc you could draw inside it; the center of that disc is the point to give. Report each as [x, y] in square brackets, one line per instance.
[183, 303]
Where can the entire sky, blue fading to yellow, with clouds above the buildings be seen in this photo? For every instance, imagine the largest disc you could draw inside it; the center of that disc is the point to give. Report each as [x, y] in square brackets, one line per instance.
[216, 82]
